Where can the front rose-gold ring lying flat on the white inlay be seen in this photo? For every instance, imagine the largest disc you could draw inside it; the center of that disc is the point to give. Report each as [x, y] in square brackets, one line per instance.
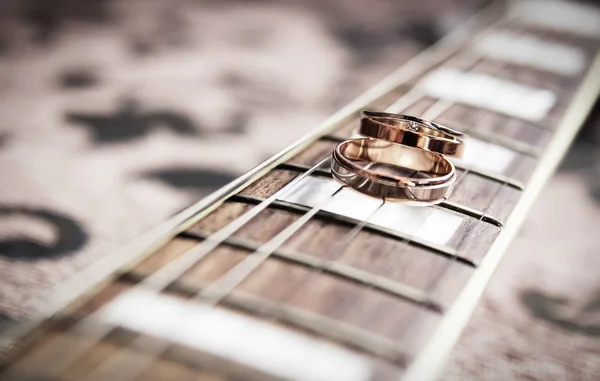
[383, 175]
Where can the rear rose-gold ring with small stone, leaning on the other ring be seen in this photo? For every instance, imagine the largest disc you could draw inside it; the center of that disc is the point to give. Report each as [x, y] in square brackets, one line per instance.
[411, 131]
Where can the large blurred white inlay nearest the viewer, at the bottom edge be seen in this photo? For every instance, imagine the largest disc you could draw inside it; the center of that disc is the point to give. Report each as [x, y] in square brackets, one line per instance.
[229, 335]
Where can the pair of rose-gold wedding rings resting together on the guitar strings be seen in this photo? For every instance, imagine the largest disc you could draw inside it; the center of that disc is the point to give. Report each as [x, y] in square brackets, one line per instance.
[400, 158]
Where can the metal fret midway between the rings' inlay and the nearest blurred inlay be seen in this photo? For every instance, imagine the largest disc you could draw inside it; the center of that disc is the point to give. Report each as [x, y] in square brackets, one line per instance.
[341, 270]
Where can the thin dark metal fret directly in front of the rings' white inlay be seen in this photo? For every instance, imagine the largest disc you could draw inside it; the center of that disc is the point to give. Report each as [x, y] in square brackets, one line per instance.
[436, 249]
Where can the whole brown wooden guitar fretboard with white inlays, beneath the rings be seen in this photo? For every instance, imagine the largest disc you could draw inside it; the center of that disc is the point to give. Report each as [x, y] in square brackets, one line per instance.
[284, 275]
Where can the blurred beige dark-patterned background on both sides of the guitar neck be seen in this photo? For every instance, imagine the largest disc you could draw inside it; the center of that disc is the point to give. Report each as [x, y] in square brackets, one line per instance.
[116, 114]
